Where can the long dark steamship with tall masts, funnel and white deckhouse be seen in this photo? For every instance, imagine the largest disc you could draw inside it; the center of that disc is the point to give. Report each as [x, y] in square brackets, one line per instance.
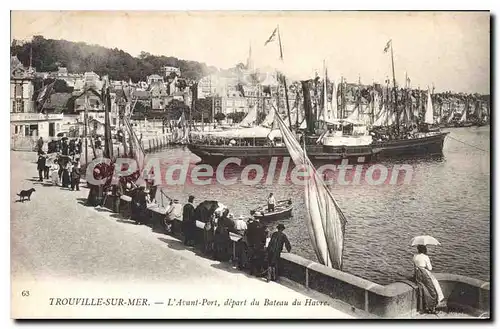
[331, 148]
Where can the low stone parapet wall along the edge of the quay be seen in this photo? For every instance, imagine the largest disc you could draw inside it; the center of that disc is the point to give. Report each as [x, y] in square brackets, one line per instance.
[399, 299]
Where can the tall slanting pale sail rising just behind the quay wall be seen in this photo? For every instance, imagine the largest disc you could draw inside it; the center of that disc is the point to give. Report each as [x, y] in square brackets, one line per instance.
[325, 220]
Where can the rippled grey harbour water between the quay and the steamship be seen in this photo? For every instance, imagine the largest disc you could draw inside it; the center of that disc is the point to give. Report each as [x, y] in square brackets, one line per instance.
[448, 197]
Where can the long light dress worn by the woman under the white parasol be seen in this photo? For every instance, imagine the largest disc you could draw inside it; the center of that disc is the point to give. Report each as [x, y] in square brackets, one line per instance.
[430, 293]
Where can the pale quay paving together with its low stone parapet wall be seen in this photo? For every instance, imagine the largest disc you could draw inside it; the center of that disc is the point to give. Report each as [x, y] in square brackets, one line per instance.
[55, 237]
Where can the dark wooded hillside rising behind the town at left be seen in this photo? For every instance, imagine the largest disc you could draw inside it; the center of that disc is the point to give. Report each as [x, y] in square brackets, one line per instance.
[79, 57]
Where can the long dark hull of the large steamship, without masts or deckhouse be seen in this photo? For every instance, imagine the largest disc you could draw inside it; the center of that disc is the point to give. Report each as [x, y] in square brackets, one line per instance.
[423, 146]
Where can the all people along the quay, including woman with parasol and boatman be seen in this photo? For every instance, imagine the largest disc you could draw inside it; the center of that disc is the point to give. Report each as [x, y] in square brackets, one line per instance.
[256, 250]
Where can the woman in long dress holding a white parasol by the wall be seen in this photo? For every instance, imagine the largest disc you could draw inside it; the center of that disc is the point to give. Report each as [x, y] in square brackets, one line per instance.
[430, 293]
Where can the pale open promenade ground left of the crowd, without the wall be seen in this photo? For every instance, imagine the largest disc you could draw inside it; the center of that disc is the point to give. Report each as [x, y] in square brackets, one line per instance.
[62, 249]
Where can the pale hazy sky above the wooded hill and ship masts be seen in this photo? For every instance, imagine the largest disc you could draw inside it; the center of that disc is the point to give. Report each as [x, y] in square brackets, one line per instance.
[447, 50]
